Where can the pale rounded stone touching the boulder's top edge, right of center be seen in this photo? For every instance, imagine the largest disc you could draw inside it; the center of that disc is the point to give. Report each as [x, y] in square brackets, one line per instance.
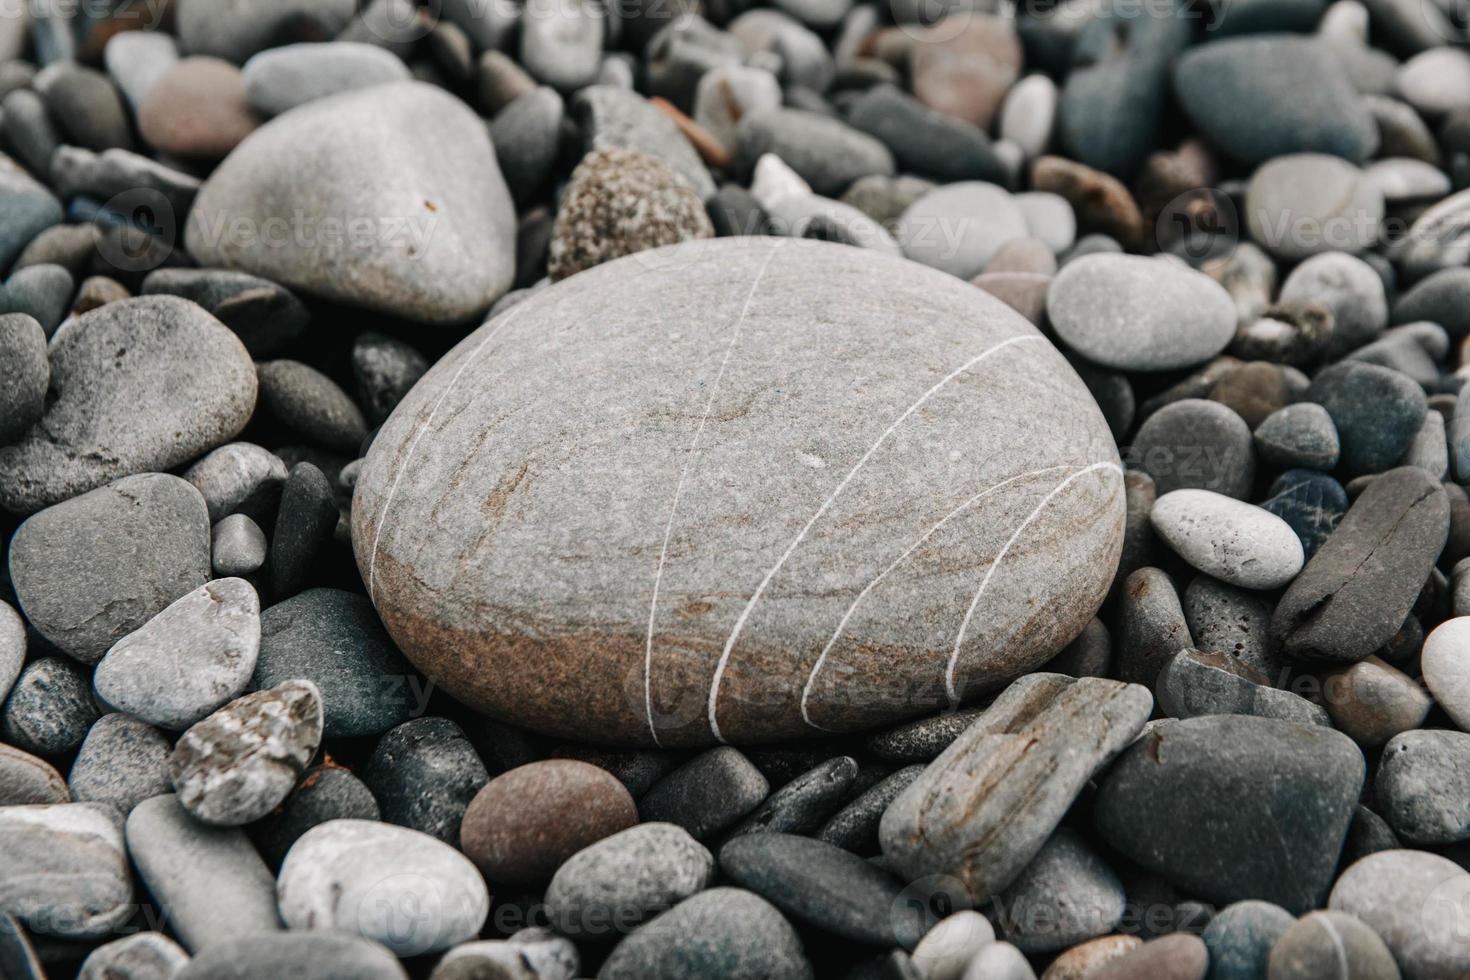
[959, 228]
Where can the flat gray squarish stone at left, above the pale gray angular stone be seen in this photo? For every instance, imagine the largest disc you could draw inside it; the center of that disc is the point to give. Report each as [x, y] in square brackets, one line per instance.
[96, 568]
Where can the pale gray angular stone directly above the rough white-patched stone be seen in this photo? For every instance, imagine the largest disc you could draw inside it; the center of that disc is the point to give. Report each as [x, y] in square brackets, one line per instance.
[189, 660]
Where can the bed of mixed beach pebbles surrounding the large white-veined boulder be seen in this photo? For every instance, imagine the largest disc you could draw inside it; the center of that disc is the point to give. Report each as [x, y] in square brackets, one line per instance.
[234, 234]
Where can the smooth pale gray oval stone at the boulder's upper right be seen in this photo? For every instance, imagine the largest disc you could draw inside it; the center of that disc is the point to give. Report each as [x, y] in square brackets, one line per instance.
[1137, 314]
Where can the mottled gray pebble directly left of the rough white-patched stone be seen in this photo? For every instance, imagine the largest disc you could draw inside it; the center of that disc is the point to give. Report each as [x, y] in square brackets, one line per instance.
[123, 762]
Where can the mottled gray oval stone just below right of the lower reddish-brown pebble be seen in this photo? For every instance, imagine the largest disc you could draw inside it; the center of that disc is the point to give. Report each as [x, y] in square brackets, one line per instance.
[623, 881]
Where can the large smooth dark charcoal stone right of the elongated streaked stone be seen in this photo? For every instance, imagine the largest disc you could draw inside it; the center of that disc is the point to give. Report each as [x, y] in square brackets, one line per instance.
[1233, 807]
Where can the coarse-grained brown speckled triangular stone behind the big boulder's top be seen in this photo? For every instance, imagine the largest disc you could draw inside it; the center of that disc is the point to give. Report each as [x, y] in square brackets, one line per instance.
[618, 203]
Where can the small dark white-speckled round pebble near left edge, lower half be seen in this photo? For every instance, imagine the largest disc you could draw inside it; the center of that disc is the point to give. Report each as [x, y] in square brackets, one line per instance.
[49, 709]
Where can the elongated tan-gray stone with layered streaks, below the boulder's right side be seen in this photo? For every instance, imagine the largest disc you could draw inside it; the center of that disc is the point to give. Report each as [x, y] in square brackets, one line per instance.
[987, 806]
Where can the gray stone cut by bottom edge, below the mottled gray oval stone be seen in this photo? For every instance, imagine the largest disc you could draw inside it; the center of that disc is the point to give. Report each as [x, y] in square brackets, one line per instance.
[721, 932]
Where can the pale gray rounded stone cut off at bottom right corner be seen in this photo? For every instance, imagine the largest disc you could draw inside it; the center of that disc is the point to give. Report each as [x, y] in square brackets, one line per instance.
[1415, 901]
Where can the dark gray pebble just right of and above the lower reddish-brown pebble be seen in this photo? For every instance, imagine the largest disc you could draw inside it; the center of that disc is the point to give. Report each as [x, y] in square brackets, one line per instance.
[708, 794]
